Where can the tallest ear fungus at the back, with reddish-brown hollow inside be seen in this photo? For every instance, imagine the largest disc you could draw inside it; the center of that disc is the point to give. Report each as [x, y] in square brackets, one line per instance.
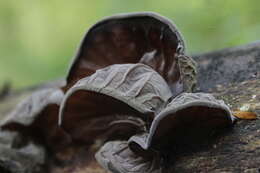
[146, 38]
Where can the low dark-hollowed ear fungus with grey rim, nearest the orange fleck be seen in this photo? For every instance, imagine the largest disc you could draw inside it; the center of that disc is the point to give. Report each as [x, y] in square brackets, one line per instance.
[187, 117]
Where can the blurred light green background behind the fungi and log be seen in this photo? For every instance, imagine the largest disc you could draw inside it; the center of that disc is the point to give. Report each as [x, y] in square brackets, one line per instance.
[38, 38]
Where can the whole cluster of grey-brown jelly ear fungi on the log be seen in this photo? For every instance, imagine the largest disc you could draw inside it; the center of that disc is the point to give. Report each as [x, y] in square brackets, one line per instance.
[129, 89]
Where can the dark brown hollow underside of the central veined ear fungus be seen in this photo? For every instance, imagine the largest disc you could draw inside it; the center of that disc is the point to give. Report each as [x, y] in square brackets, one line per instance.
[88, 116]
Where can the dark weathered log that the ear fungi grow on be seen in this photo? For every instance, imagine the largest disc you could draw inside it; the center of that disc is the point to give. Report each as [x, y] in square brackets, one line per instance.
[232, 75]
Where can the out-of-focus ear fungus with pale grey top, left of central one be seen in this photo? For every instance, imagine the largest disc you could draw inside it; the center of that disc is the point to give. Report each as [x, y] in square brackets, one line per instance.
[37, 117]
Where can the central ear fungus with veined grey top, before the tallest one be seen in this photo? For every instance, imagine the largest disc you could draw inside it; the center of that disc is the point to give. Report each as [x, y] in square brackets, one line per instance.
[115, 101]
